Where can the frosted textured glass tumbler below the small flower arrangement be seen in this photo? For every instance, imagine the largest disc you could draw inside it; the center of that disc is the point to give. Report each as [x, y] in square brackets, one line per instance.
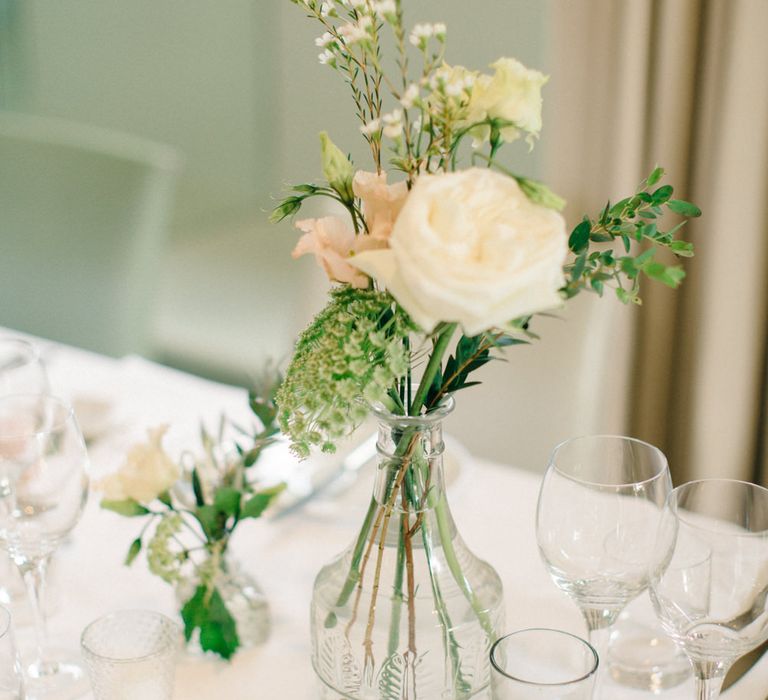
[131, 655]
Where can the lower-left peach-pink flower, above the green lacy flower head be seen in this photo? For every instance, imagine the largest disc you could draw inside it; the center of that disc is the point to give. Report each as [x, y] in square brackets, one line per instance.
[332, 242]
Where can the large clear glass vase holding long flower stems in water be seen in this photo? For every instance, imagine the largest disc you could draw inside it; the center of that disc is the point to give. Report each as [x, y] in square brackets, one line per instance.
[406, 611]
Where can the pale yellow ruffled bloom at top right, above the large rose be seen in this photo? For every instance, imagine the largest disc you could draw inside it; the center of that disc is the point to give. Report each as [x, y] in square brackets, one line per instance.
[513, 93]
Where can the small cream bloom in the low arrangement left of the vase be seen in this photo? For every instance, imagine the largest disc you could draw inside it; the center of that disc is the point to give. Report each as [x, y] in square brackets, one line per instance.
[146, 473]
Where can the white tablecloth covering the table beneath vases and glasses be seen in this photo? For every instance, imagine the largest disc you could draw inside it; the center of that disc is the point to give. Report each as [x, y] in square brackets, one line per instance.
[493, 505]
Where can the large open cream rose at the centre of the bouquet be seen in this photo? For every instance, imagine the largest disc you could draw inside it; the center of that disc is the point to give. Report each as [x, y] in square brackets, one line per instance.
[470, 247]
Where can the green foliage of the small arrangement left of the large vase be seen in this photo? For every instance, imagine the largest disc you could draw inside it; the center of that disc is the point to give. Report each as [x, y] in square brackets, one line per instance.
[219, 481]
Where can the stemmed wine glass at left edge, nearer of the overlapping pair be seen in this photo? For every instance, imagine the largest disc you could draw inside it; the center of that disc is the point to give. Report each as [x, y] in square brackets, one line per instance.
[43, 489]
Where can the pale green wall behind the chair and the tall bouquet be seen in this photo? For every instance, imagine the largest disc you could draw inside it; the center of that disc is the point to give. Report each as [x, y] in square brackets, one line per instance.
[233, 84]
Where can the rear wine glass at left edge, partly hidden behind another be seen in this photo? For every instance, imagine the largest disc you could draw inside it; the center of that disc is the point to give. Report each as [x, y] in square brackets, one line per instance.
[21, 372]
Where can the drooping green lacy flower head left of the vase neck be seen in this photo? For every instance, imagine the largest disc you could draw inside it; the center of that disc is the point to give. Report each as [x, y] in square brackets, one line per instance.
[352, 354]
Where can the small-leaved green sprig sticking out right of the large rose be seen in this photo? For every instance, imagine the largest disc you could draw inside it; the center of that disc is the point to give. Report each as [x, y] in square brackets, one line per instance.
[631, 220]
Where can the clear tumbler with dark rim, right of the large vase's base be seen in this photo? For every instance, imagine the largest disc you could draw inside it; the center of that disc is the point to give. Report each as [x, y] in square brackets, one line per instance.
[542, 664]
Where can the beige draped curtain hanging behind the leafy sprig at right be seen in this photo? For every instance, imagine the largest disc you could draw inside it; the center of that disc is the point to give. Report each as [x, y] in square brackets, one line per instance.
[682, 83]
